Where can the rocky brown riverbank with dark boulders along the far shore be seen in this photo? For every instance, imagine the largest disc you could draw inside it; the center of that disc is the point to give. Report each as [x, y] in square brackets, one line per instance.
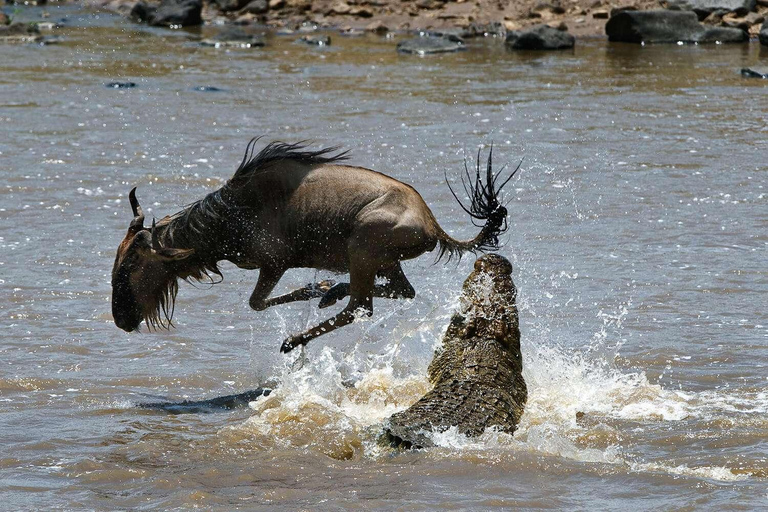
[528, 24]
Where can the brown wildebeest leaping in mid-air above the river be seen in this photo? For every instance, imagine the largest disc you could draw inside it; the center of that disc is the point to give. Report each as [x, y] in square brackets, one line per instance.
[290, 207]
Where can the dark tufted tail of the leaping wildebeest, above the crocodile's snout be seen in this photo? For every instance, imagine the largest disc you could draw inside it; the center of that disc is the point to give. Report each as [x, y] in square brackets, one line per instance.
[485, 209]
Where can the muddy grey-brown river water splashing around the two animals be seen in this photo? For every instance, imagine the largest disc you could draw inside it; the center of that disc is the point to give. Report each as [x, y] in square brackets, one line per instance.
[638, 232]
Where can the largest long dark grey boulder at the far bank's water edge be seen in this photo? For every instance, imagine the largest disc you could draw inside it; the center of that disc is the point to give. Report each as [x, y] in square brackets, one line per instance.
[666, 26]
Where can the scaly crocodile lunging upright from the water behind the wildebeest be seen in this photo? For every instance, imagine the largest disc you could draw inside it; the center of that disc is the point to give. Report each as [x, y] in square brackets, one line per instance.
[477, 373]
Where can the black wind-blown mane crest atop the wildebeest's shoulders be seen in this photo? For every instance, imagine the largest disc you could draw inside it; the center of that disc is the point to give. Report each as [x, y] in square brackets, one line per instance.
[275, 151]
